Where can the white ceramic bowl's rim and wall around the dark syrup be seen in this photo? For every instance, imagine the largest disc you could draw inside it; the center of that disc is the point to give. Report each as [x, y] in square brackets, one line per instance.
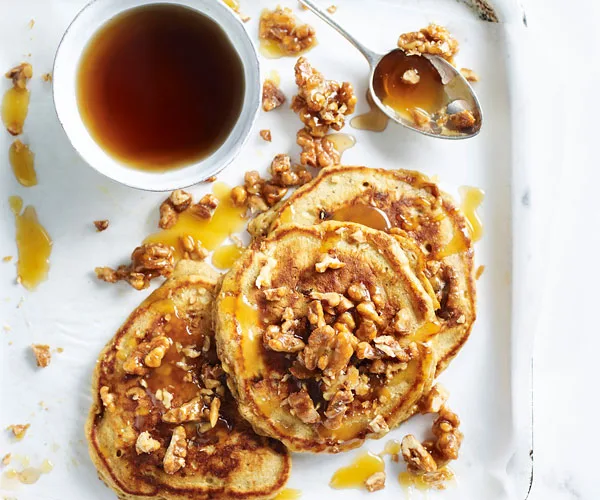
[66, 63]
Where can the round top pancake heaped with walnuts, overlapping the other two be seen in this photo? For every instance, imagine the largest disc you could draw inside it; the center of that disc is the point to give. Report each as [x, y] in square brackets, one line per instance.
[315, 329]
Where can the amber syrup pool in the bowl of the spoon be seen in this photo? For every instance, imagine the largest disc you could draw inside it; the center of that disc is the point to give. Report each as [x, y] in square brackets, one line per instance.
[428, 94]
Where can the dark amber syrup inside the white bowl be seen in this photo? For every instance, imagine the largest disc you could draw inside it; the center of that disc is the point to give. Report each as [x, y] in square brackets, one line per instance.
[160, 86]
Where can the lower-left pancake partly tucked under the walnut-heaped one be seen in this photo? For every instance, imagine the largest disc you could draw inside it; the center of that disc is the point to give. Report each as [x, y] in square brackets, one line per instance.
[162, 423]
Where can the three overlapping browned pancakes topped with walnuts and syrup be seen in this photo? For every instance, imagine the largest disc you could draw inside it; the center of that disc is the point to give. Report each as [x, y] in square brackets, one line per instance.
[355, 293]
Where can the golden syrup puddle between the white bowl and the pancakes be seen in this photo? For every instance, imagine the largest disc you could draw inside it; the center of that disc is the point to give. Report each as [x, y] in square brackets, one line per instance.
[226, 220]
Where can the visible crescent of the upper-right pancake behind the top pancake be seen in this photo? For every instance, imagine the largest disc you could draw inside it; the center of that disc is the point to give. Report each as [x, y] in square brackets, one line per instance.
[396, 200]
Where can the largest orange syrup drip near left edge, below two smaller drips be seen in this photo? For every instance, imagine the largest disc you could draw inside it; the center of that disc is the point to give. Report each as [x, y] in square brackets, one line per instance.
[34, 245]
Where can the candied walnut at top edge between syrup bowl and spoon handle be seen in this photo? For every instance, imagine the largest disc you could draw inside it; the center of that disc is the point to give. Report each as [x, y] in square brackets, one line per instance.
[281, 27]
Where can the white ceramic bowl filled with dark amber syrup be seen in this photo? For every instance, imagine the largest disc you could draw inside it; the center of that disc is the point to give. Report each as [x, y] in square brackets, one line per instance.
[157, 95]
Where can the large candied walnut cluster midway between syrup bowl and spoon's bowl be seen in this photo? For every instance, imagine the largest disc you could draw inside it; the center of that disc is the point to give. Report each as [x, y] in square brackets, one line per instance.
[321, 104]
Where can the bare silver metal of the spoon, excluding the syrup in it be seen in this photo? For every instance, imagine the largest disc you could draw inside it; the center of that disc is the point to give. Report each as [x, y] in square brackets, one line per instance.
[459, 93]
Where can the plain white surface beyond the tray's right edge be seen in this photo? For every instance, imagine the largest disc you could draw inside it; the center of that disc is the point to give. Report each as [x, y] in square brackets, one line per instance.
[565, 39]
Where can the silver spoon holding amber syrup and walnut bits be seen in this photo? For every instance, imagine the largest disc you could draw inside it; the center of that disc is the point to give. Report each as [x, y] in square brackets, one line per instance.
[424, 93]
